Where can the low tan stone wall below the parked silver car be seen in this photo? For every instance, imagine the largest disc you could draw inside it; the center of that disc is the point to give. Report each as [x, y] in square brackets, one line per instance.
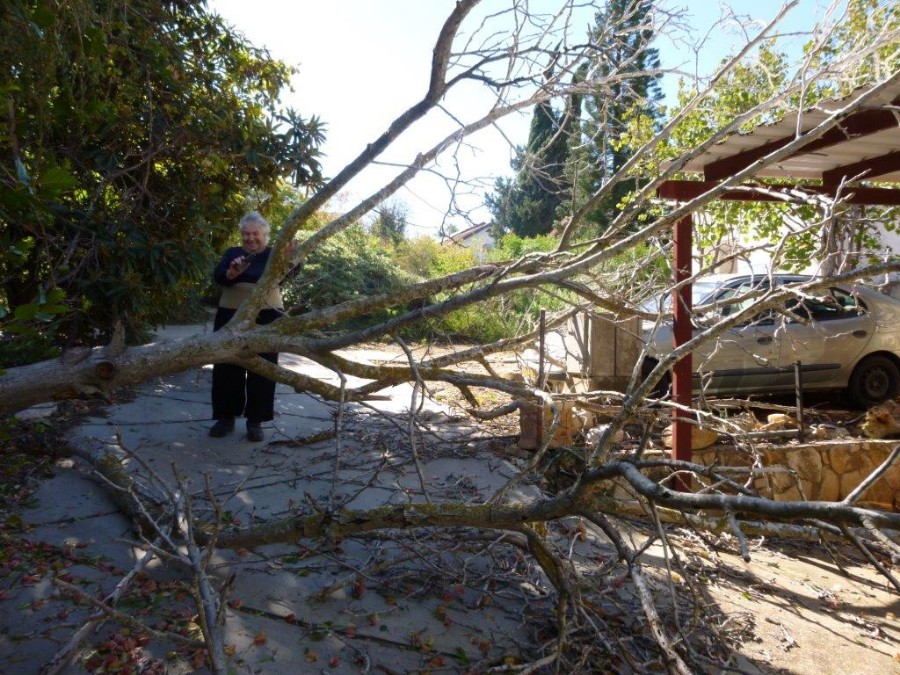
[819, 471]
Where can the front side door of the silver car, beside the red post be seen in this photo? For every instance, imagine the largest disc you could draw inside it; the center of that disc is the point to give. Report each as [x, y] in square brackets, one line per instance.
[743, 358]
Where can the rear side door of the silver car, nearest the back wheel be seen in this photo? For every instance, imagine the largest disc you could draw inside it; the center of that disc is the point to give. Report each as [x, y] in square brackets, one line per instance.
[825, 332]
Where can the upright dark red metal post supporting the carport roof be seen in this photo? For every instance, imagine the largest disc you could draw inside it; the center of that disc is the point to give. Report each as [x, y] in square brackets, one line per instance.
[682, 332]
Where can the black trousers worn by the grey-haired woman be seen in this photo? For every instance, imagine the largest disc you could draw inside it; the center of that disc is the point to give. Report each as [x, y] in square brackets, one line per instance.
[238, 391]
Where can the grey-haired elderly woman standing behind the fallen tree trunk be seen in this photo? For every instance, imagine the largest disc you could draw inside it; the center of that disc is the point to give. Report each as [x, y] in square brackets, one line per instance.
[236, 391]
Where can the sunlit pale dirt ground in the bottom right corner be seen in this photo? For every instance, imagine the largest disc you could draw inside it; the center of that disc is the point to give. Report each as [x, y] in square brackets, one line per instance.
[811, 613]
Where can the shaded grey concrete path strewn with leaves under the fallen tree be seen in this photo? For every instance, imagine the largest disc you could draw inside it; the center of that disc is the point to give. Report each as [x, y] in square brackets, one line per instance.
[398, 604]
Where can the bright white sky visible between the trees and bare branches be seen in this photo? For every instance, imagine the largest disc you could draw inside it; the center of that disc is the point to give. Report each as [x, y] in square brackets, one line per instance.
[363, 62]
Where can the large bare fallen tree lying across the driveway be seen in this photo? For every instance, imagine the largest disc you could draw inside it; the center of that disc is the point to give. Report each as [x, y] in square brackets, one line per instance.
[579, 270]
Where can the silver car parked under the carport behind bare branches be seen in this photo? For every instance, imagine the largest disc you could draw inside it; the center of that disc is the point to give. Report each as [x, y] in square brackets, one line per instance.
[843, 336]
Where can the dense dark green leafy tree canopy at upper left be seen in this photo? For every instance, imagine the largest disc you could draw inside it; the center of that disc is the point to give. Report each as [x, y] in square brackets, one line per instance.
[130, 130]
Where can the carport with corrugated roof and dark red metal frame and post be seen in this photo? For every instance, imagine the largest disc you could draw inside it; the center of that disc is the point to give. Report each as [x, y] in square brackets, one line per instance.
[839, 143]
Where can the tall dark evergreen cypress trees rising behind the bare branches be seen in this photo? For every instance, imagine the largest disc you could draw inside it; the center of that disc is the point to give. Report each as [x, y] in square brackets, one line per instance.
[571, 154]
